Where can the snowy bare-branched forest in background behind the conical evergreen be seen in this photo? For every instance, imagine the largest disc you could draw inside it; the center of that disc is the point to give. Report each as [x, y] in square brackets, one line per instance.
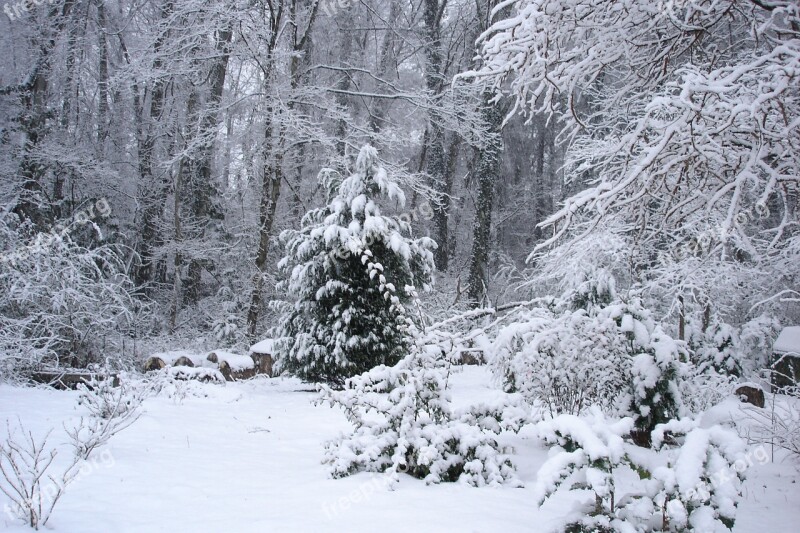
[152, 153]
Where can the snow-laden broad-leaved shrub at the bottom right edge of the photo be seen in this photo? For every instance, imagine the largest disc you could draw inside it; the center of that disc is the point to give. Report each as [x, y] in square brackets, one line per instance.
[693, 485]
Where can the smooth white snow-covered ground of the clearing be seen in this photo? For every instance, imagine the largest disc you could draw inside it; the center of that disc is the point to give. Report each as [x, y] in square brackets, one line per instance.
[246, 457]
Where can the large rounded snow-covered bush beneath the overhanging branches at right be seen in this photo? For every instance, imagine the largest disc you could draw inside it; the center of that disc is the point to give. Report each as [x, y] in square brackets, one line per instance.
[609, 353]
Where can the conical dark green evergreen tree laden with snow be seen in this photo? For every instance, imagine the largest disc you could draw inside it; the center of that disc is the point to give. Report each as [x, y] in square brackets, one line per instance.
[350, 272]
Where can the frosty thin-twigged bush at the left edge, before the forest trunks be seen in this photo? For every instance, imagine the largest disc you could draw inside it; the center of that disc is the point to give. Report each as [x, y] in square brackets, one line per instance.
[57, 300]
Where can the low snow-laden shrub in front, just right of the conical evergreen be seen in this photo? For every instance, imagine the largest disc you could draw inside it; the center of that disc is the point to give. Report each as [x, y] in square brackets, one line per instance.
[403, 423]
